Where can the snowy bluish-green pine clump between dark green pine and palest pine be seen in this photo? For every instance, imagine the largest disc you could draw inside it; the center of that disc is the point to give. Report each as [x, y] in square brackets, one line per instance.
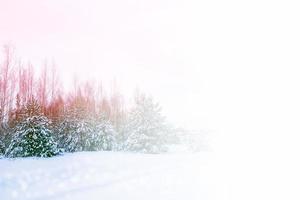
[85, 133]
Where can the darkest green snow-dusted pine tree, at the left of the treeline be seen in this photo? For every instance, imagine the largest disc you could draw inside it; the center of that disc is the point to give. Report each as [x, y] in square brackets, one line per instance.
[32, 136]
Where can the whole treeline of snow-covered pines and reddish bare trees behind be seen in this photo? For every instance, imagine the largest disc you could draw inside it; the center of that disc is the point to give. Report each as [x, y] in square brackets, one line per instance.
[38, 118]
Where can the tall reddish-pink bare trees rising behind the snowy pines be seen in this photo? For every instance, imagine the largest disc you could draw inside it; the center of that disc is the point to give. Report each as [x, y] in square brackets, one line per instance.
[20, 83]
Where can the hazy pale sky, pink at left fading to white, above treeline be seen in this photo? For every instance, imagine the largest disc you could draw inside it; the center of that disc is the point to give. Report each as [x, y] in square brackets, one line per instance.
[217, 65]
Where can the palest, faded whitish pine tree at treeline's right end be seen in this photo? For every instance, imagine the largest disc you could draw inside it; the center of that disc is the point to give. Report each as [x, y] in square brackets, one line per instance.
[146, 130]
